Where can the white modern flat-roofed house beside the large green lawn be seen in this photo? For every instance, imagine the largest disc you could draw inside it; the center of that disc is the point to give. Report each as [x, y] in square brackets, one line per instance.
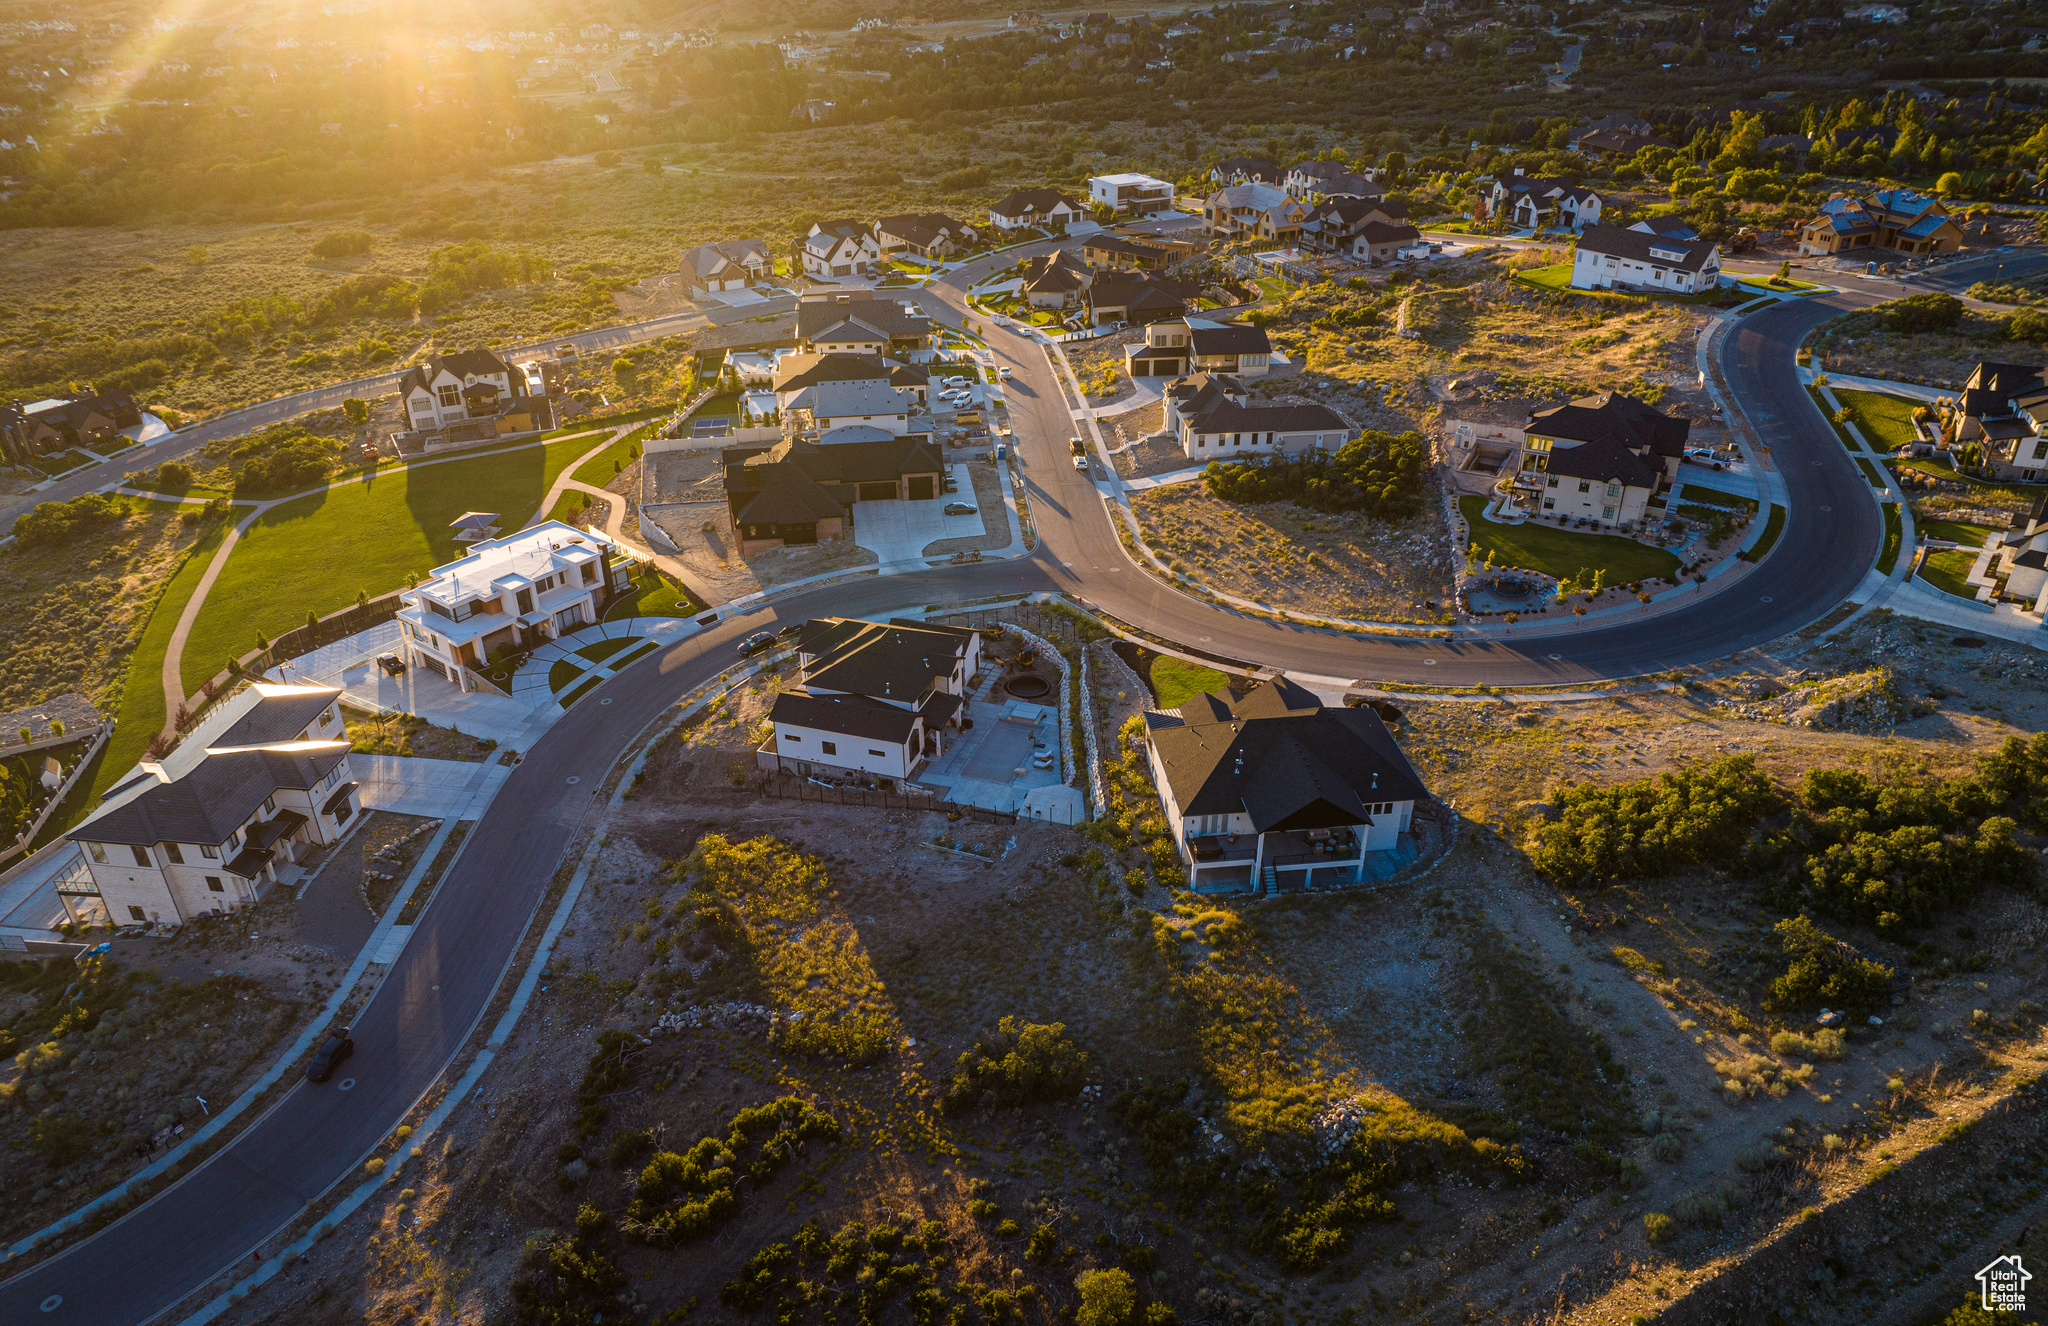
[505, 595]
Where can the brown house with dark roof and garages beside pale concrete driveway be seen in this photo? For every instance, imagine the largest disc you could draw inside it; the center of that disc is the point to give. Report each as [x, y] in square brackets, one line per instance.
[800, 493]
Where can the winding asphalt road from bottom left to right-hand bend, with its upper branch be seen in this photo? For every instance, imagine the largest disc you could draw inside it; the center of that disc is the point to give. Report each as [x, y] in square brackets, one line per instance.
[435, 997]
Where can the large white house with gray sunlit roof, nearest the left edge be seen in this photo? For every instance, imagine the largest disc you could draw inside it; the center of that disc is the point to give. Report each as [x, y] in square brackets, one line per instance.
[259, 782]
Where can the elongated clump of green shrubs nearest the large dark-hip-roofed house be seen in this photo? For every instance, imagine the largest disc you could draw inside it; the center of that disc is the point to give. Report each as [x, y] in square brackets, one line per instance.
[1654, 827]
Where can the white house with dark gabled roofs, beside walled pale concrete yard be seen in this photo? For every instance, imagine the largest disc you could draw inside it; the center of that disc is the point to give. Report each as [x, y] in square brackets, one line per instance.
[871, 698]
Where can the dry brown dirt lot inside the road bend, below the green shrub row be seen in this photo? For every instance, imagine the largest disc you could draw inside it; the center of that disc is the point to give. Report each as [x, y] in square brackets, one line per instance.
[1287, 556]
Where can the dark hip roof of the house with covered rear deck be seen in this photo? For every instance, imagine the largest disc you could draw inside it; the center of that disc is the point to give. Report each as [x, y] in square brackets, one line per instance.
[1283, 759]
